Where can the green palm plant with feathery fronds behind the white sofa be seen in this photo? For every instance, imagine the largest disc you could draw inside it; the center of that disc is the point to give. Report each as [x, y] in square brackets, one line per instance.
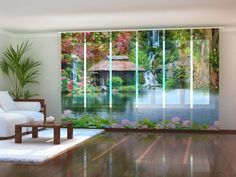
[21, 70]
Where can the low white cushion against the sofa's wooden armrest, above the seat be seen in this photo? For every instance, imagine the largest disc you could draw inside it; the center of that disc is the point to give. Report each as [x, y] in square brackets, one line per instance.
[30, 106]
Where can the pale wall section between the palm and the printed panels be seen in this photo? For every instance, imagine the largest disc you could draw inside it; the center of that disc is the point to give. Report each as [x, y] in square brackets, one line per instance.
[47, 49]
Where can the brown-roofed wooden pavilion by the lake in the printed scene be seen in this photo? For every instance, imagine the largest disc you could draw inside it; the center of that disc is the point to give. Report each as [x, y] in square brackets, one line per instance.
[121, 66]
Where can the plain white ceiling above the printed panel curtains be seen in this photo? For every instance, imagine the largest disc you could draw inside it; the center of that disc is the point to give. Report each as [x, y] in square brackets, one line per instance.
[29, 16]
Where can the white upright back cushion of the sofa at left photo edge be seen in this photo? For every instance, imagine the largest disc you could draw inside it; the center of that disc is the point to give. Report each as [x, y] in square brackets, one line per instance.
[6, 101]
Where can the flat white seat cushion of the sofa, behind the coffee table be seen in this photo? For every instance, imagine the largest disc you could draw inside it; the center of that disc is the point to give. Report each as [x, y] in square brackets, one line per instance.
[30, 115]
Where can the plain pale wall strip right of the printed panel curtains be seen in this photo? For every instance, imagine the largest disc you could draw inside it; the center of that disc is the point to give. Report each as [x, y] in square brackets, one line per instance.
[228, 78]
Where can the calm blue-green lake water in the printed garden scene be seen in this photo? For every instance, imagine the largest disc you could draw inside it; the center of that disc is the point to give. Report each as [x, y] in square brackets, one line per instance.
[205, 108]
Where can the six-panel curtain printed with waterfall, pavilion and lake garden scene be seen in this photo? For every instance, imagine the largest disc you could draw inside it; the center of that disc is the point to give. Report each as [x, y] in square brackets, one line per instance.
[149, 79]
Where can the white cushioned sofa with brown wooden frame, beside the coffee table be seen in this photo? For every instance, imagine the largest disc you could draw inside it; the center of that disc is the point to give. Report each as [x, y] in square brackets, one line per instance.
[18, 111]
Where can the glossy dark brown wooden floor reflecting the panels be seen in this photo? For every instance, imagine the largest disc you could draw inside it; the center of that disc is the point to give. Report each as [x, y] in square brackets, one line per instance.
[139, 155]
